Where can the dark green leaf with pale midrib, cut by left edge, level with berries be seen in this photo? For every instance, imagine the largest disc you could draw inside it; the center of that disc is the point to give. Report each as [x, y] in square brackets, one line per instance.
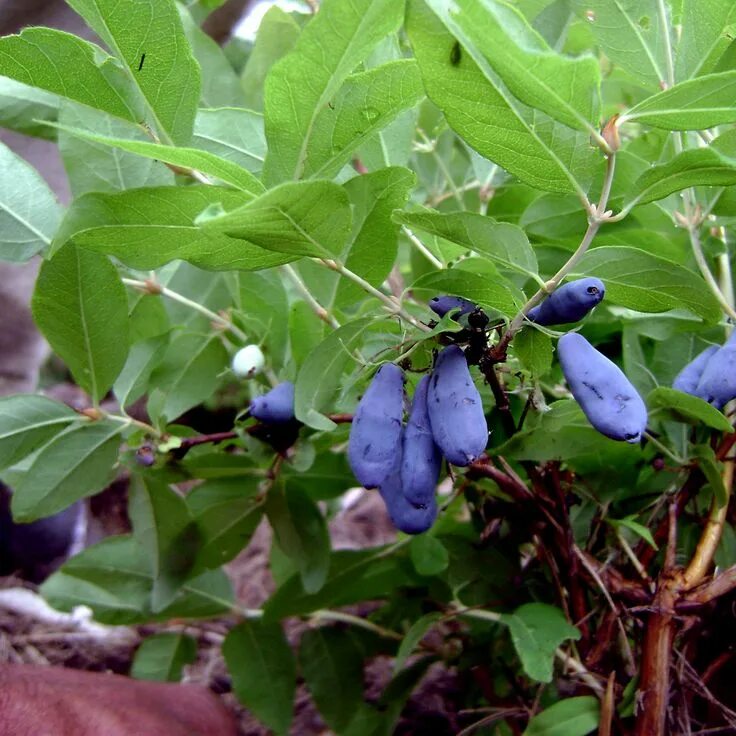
[27, 422]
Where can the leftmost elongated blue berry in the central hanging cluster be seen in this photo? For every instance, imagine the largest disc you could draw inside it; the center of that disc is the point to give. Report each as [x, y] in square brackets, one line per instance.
[374, 448]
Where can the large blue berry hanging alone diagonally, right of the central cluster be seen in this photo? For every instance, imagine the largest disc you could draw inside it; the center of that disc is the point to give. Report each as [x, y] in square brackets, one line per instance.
[607, 398]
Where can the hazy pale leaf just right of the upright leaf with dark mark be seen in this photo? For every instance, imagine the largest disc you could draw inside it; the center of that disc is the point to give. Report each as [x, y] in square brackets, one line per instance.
[220, 83]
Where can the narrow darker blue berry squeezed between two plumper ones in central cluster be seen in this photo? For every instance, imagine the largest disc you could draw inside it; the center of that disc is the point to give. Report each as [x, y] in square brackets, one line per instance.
[421, 459]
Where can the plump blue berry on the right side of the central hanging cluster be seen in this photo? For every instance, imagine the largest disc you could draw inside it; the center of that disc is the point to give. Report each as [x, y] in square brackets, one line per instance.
[455, 409]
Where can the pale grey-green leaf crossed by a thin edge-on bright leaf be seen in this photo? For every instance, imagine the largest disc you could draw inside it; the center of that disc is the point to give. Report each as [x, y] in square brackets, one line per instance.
[92, 166]
